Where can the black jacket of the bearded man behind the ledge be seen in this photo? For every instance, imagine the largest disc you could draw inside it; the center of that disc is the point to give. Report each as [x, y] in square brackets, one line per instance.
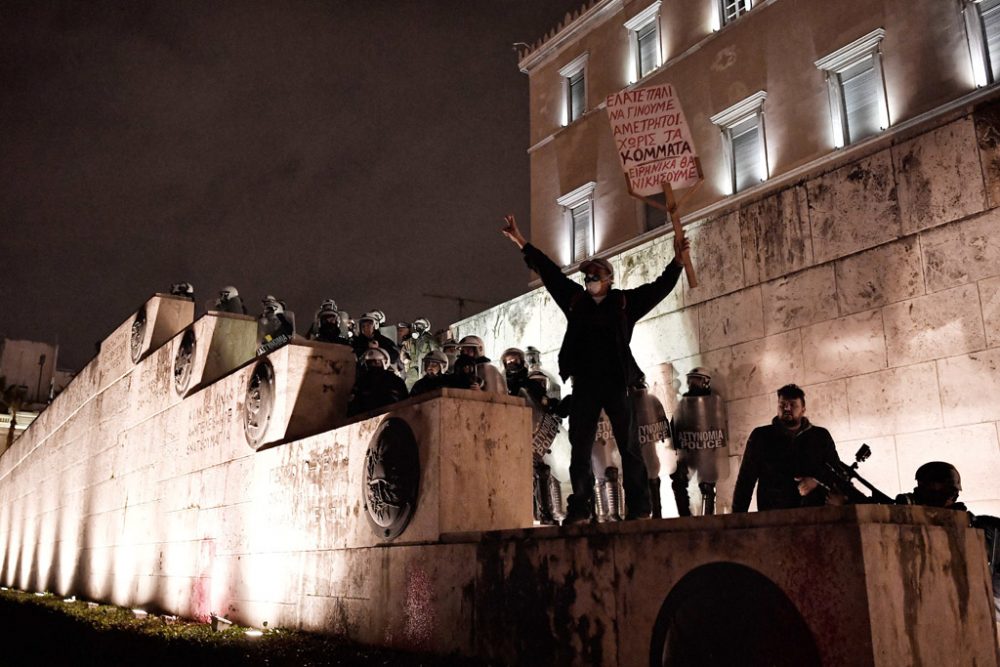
[774, 457]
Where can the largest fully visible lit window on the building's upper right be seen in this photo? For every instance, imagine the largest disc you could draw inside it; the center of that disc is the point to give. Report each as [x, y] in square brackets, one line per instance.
[857, 89]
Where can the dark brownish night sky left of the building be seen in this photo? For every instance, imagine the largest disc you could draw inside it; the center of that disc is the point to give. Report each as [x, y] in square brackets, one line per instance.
[365, 151]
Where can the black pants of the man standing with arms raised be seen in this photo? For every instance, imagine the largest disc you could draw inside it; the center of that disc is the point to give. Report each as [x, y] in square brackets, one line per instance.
[590, 396]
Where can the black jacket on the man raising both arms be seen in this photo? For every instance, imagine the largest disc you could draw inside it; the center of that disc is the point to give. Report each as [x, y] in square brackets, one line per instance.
[625, 306]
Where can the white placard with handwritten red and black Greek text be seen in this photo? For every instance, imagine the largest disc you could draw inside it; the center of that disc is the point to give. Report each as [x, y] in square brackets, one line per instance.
[653, 139]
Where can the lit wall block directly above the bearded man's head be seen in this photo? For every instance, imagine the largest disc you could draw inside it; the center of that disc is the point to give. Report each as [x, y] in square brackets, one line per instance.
[763, 365]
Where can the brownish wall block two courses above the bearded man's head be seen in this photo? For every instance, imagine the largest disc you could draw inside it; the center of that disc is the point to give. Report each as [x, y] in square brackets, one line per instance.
[799, 299]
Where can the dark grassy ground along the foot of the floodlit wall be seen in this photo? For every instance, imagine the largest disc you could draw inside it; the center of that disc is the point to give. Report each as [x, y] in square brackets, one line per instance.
[45, 631]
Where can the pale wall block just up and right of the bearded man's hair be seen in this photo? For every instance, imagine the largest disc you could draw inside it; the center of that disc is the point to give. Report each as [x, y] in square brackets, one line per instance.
[844, 347]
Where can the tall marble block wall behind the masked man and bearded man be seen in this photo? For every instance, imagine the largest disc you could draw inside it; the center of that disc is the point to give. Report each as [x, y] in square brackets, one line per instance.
[875, 286]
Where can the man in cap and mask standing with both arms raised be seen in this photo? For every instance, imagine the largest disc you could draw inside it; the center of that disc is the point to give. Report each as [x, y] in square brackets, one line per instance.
[595, 353]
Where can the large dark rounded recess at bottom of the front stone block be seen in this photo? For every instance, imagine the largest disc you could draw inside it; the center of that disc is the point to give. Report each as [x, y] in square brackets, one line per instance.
[729, 614]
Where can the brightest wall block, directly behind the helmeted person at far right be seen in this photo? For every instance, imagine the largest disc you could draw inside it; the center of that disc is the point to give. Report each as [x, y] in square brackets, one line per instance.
[974, 450]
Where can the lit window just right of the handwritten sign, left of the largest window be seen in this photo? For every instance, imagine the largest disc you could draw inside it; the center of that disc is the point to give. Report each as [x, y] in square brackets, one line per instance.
[742, 128]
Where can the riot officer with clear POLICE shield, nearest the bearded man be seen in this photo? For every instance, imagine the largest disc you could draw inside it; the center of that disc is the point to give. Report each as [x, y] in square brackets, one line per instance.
[700, 438]
